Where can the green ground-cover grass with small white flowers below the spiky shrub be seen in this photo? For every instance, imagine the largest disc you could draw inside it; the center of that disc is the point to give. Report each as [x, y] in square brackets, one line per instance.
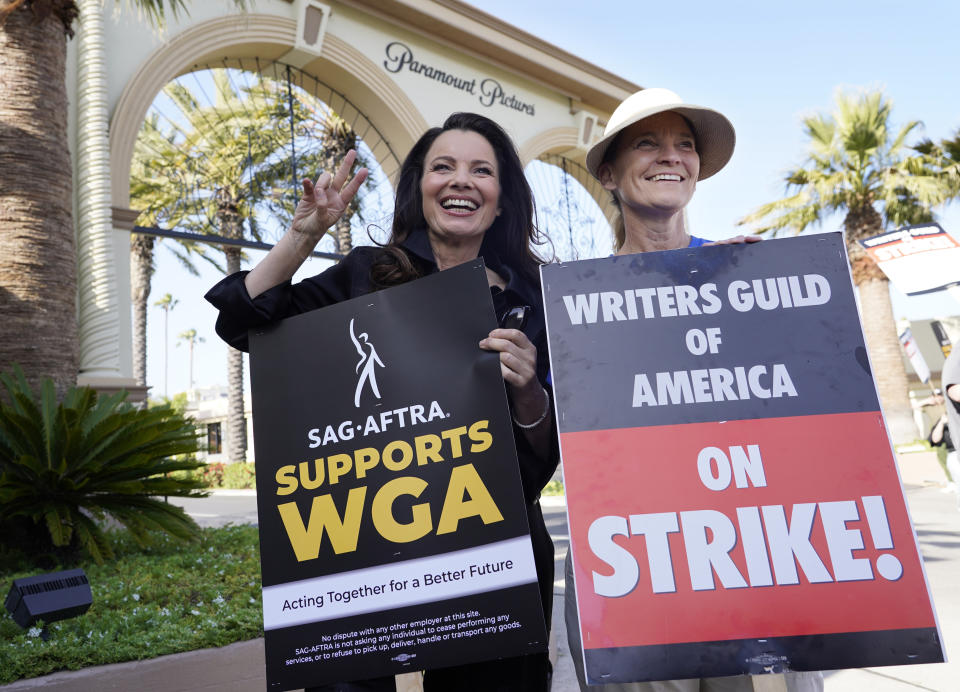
[168, 598]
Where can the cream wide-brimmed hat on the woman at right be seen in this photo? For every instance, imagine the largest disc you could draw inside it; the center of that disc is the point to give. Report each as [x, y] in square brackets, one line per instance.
[714, 133]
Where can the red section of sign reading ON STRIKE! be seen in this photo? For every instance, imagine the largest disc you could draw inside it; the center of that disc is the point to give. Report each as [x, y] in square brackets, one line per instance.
[631, 474]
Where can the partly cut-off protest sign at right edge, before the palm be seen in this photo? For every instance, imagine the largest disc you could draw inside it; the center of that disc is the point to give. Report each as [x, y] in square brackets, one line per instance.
[916, 259]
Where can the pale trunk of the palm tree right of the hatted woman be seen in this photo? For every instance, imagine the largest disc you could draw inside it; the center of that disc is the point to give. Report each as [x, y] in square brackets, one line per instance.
[879, 326]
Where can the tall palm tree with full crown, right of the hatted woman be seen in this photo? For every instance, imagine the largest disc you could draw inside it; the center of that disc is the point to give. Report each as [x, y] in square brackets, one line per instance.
[857, 165]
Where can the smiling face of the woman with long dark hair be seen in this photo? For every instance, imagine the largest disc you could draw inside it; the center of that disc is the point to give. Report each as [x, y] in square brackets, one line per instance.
[460, 188]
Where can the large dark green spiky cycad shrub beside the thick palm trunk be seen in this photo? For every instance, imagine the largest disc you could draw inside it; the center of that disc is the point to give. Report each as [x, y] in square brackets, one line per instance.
[65, 466]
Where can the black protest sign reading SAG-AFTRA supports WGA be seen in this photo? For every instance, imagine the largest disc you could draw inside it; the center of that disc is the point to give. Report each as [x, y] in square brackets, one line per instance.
[393, 528]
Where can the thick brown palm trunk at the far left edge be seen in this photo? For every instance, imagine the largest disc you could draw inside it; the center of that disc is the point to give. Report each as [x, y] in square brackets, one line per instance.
[38, 278]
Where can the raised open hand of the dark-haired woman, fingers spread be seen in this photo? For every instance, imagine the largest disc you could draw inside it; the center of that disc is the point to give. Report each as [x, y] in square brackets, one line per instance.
[324, 201]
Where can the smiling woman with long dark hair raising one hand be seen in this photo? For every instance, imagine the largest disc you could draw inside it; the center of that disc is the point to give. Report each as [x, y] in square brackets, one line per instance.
[461, 194]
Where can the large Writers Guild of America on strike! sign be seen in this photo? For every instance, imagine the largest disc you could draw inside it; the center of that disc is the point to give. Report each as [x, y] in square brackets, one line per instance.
[733, 500]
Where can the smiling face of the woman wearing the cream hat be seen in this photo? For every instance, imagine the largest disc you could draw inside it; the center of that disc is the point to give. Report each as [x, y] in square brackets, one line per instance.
[655, 167]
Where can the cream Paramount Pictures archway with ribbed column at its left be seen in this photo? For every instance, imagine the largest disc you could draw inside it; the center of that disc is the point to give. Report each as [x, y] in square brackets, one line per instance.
[403, 64]
